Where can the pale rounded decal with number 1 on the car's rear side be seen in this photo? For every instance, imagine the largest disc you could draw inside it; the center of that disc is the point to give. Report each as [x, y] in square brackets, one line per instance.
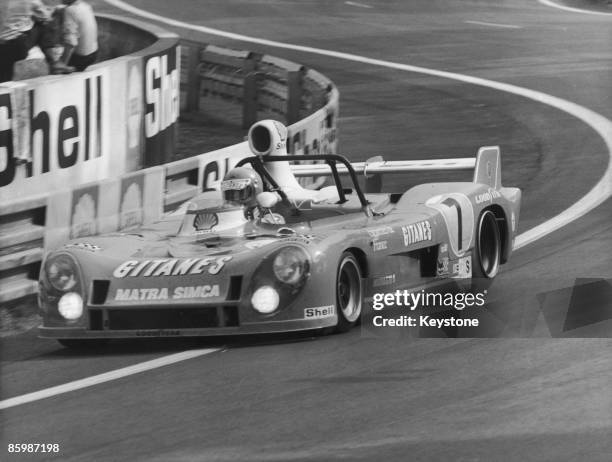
[458, 213]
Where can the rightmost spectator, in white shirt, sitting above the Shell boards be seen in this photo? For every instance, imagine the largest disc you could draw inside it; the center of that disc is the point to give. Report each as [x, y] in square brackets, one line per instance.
[80, 35]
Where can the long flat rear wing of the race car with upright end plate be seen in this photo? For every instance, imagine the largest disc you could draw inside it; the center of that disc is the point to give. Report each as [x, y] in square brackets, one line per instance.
[485, 165]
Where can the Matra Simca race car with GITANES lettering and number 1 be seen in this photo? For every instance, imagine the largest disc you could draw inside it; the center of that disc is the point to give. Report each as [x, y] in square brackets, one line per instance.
[265, 254]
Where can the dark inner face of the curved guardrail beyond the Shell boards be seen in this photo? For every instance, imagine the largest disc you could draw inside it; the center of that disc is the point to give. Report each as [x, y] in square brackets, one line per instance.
[265, 86]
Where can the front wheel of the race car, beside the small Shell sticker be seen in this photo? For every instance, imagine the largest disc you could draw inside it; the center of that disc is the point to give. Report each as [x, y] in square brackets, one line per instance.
[349, 292]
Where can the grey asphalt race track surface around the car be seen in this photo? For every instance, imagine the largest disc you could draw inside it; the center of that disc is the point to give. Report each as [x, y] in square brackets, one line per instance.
[358, 396]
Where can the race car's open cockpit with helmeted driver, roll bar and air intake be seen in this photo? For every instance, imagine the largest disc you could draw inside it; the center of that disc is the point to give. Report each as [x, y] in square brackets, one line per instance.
[261, 191]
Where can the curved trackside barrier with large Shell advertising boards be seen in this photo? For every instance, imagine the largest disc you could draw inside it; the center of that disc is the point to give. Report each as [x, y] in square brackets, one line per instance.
[37, 215]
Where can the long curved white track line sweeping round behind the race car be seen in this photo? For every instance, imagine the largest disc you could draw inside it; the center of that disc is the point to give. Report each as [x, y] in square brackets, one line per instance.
[599, 193]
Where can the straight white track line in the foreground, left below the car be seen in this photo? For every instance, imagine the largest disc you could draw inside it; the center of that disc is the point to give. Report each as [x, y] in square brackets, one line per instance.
[106, 377]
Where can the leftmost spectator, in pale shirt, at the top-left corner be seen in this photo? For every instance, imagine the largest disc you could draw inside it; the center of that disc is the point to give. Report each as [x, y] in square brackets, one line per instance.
[23, 24]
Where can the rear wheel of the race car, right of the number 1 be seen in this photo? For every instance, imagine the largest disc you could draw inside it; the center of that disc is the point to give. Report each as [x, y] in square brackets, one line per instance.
[487, 251]
